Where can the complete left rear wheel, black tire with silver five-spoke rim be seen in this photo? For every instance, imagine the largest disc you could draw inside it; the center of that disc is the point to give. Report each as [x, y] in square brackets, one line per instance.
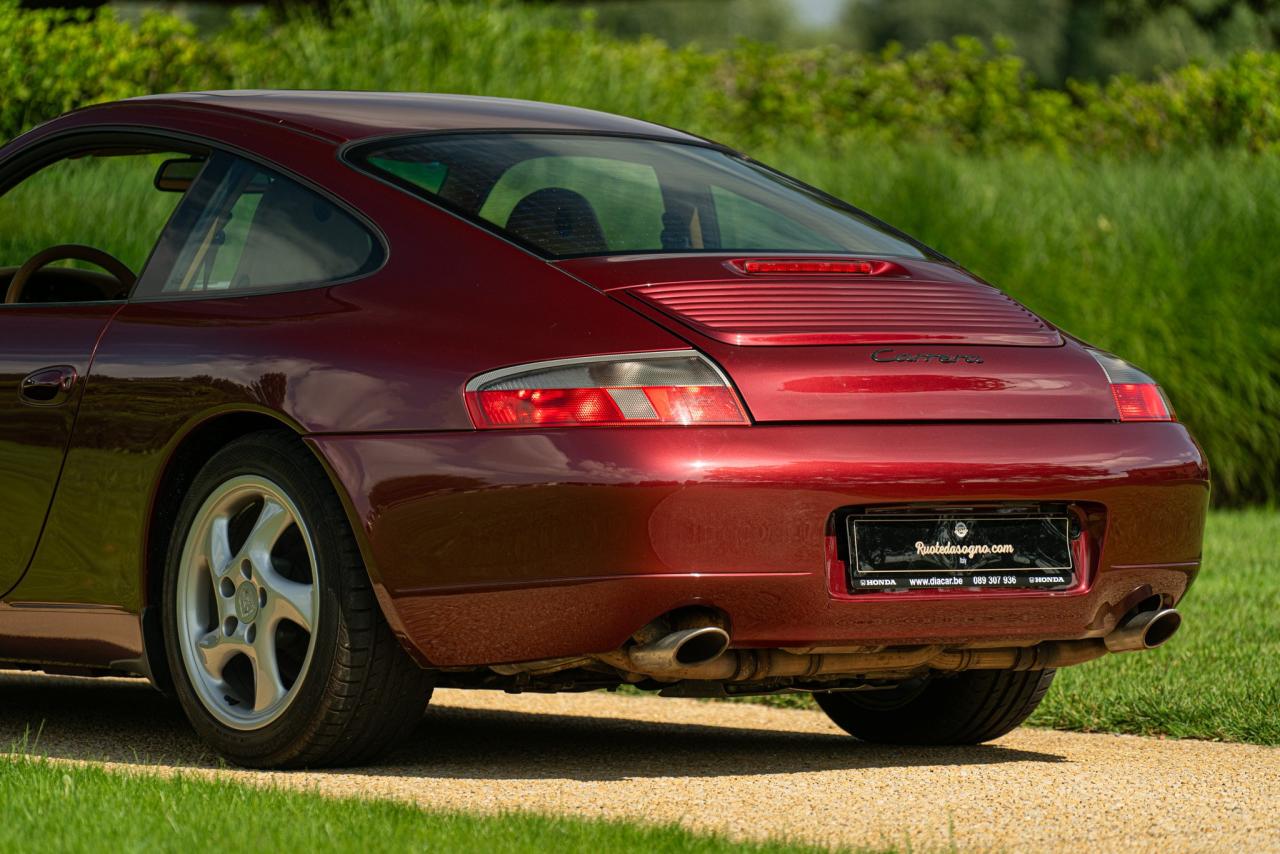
[280, 652]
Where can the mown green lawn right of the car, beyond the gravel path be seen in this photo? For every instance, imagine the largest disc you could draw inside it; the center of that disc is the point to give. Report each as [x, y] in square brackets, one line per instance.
[1217, 679]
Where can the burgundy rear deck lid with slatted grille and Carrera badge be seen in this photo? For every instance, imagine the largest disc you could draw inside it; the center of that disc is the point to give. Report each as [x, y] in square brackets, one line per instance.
[897, 340]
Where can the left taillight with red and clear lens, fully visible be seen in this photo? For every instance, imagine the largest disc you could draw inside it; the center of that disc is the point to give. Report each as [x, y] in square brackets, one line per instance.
[679, 387]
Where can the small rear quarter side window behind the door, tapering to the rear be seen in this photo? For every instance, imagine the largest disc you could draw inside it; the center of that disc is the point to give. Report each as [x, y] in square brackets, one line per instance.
[246, 229]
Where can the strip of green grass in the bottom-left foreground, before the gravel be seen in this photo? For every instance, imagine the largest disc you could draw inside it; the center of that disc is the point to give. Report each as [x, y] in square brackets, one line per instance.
[63, 809]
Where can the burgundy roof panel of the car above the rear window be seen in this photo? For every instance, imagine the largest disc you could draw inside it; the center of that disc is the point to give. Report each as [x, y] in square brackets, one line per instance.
[356, 116]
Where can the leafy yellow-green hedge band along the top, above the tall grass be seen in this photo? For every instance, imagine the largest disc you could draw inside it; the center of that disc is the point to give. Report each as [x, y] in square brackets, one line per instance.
[961, 94]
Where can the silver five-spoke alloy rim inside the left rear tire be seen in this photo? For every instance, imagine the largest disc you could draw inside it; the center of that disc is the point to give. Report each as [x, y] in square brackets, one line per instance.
[248, 602]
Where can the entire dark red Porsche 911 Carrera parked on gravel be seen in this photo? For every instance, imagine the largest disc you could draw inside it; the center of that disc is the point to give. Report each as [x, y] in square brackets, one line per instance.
[313, 403]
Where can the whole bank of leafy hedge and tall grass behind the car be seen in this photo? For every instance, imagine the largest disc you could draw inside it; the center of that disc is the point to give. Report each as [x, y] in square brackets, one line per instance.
[1141, 217]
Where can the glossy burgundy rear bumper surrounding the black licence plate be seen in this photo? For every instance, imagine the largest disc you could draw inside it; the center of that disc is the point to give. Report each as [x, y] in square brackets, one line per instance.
[518, 546]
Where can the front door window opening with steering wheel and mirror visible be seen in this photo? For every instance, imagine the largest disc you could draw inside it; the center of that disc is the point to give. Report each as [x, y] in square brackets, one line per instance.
[83, 229]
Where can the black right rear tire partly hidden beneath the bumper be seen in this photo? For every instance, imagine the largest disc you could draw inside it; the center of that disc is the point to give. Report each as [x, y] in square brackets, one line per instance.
[961, 709]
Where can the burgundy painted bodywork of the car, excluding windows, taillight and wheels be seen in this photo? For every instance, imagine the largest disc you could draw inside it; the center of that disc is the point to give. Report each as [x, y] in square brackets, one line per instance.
[509, 546]
